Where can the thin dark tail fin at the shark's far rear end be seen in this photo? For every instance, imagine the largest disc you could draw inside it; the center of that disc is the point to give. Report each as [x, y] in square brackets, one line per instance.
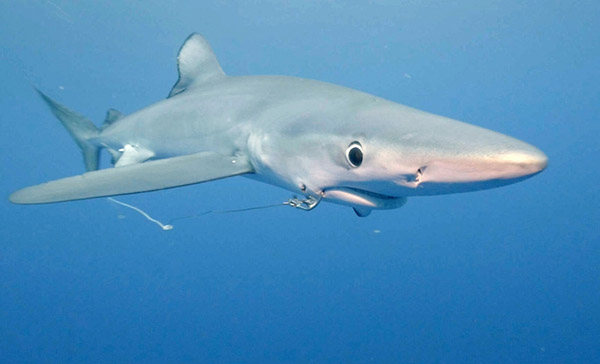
[80, 128]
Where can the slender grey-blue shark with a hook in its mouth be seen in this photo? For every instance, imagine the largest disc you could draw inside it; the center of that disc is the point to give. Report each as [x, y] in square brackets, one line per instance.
[321, 141]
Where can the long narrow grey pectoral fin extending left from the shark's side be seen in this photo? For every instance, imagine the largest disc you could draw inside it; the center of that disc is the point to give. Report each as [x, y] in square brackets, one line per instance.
[143, 177]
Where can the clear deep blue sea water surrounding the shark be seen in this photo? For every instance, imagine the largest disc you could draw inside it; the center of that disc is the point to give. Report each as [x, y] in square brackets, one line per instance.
[508, 275]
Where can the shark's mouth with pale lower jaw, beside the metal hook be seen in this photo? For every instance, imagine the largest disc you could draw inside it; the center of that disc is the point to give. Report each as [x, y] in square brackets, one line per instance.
[362, 198]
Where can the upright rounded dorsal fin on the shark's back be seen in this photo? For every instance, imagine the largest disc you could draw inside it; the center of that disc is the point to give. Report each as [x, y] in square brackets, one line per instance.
[196, 64]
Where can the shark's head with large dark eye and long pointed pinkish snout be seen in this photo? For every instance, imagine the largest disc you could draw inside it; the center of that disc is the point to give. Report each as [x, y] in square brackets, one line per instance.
[376, 153]
